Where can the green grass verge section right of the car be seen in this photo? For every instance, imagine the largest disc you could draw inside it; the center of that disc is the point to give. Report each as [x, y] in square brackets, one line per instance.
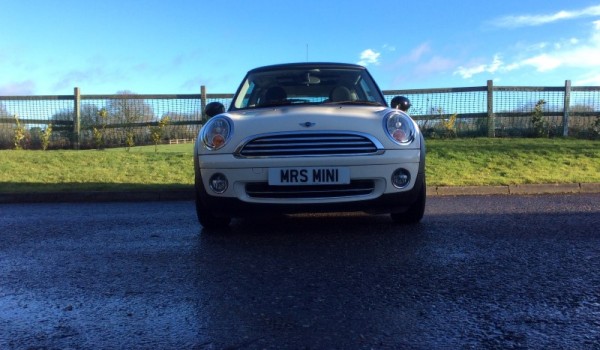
[463, 162]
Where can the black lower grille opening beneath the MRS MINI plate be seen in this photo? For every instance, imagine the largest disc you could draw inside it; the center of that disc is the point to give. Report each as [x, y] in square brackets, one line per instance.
[355, 188]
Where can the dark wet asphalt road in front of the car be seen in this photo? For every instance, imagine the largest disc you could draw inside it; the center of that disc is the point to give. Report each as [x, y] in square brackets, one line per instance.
[478, 272]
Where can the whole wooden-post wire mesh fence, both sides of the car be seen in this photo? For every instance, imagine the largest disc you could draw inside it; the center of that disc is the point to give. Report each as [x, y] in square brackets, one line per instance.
[81, 121]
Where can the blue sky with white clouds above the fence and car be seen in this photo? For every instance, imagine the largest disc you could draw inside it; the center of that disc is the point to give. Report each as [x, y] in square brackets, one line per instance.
[171, 47]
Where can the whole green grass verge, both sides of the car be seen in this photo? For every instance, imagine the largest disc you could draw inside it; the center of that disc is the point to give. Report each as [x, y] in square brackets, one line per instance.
[455, 162]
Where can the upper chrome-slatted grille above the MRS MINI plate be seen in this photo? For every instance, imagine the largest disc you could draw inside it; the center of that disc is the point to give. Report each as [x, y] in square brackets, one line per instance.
[308, 144]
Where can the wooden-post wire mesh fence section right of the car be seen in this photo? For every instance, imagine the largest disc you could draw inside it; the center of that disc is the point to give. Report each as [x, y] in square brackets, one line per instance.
[506, 111]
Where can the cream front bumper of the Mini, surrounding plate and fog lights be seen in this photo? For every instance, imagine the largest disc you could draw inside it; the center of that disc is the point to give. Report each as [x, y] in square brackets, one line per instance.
[382, 198]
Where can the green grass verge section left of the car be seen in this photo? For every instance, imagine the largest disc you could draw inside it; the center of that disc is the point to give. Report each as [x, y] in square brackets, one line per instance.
[112, 169]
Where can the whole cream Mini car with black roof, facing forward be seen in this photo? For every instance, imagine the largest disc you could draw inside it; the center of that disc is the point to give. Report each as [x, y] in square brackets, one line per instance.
[308, 137]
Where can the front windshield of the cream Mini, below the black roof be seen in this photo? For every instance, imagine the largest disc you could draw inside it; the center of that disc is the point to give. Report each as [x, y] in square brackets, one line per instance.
[291, 86]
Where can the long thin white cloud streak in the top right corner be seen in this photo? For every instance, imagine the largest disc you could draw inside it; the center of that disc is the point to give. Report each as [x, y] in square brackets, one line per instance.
[537, 20]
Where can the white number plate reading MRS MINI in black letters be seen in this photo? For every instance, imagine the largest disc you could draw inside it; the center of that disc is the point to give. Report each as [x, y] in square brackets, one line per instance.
[309, 176]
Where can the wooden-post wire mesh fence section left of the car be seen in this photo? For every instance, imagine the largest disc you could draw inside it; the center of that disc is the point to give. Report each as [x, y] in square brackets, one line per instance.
[99, 121]
